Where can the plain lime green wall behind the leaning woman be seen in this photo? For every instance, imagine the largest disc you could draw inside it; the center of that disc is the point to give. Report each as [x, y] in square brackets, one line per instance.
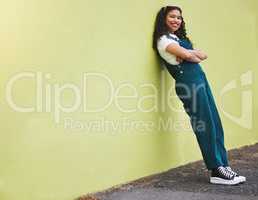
[41, 159]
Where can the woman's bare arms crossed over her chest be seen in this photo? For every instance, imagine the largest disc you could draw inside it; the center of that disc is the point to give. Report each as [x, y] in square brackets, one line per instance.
[194, 55]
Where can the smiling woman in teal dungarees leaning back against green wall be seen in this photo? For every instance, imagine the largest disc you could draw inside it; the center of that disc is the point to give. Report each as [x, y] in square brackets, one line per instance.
[175, 49]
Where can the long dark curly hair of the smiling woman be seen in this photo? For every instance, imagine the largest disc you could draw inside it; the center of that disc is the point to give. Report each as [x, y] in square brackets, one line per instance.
[162, 29]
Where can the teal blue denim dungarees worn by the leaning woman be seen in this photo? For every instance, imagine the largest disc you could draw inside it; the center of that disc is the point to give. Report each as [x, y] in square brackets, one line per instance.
[193, 90]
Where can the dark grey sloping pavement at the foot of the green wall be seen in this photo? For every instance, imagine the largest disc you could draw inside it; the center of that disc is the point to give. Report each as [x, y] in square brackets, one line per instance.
[191, 182]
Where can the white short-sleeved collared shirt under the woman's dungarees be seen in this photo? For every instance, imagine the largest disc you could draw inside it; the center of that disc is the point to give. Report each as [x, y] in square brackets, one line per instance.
[162, 44]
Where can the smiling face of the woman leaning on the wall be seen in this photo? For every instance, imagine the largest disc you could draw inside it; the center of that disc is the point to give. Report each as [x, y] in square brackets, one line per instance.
[173, 20]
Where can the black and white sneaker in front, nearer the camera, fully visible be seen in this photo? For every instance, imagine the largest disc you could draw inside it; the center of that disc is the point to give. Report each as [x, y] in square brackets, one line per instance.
[222, 176]
